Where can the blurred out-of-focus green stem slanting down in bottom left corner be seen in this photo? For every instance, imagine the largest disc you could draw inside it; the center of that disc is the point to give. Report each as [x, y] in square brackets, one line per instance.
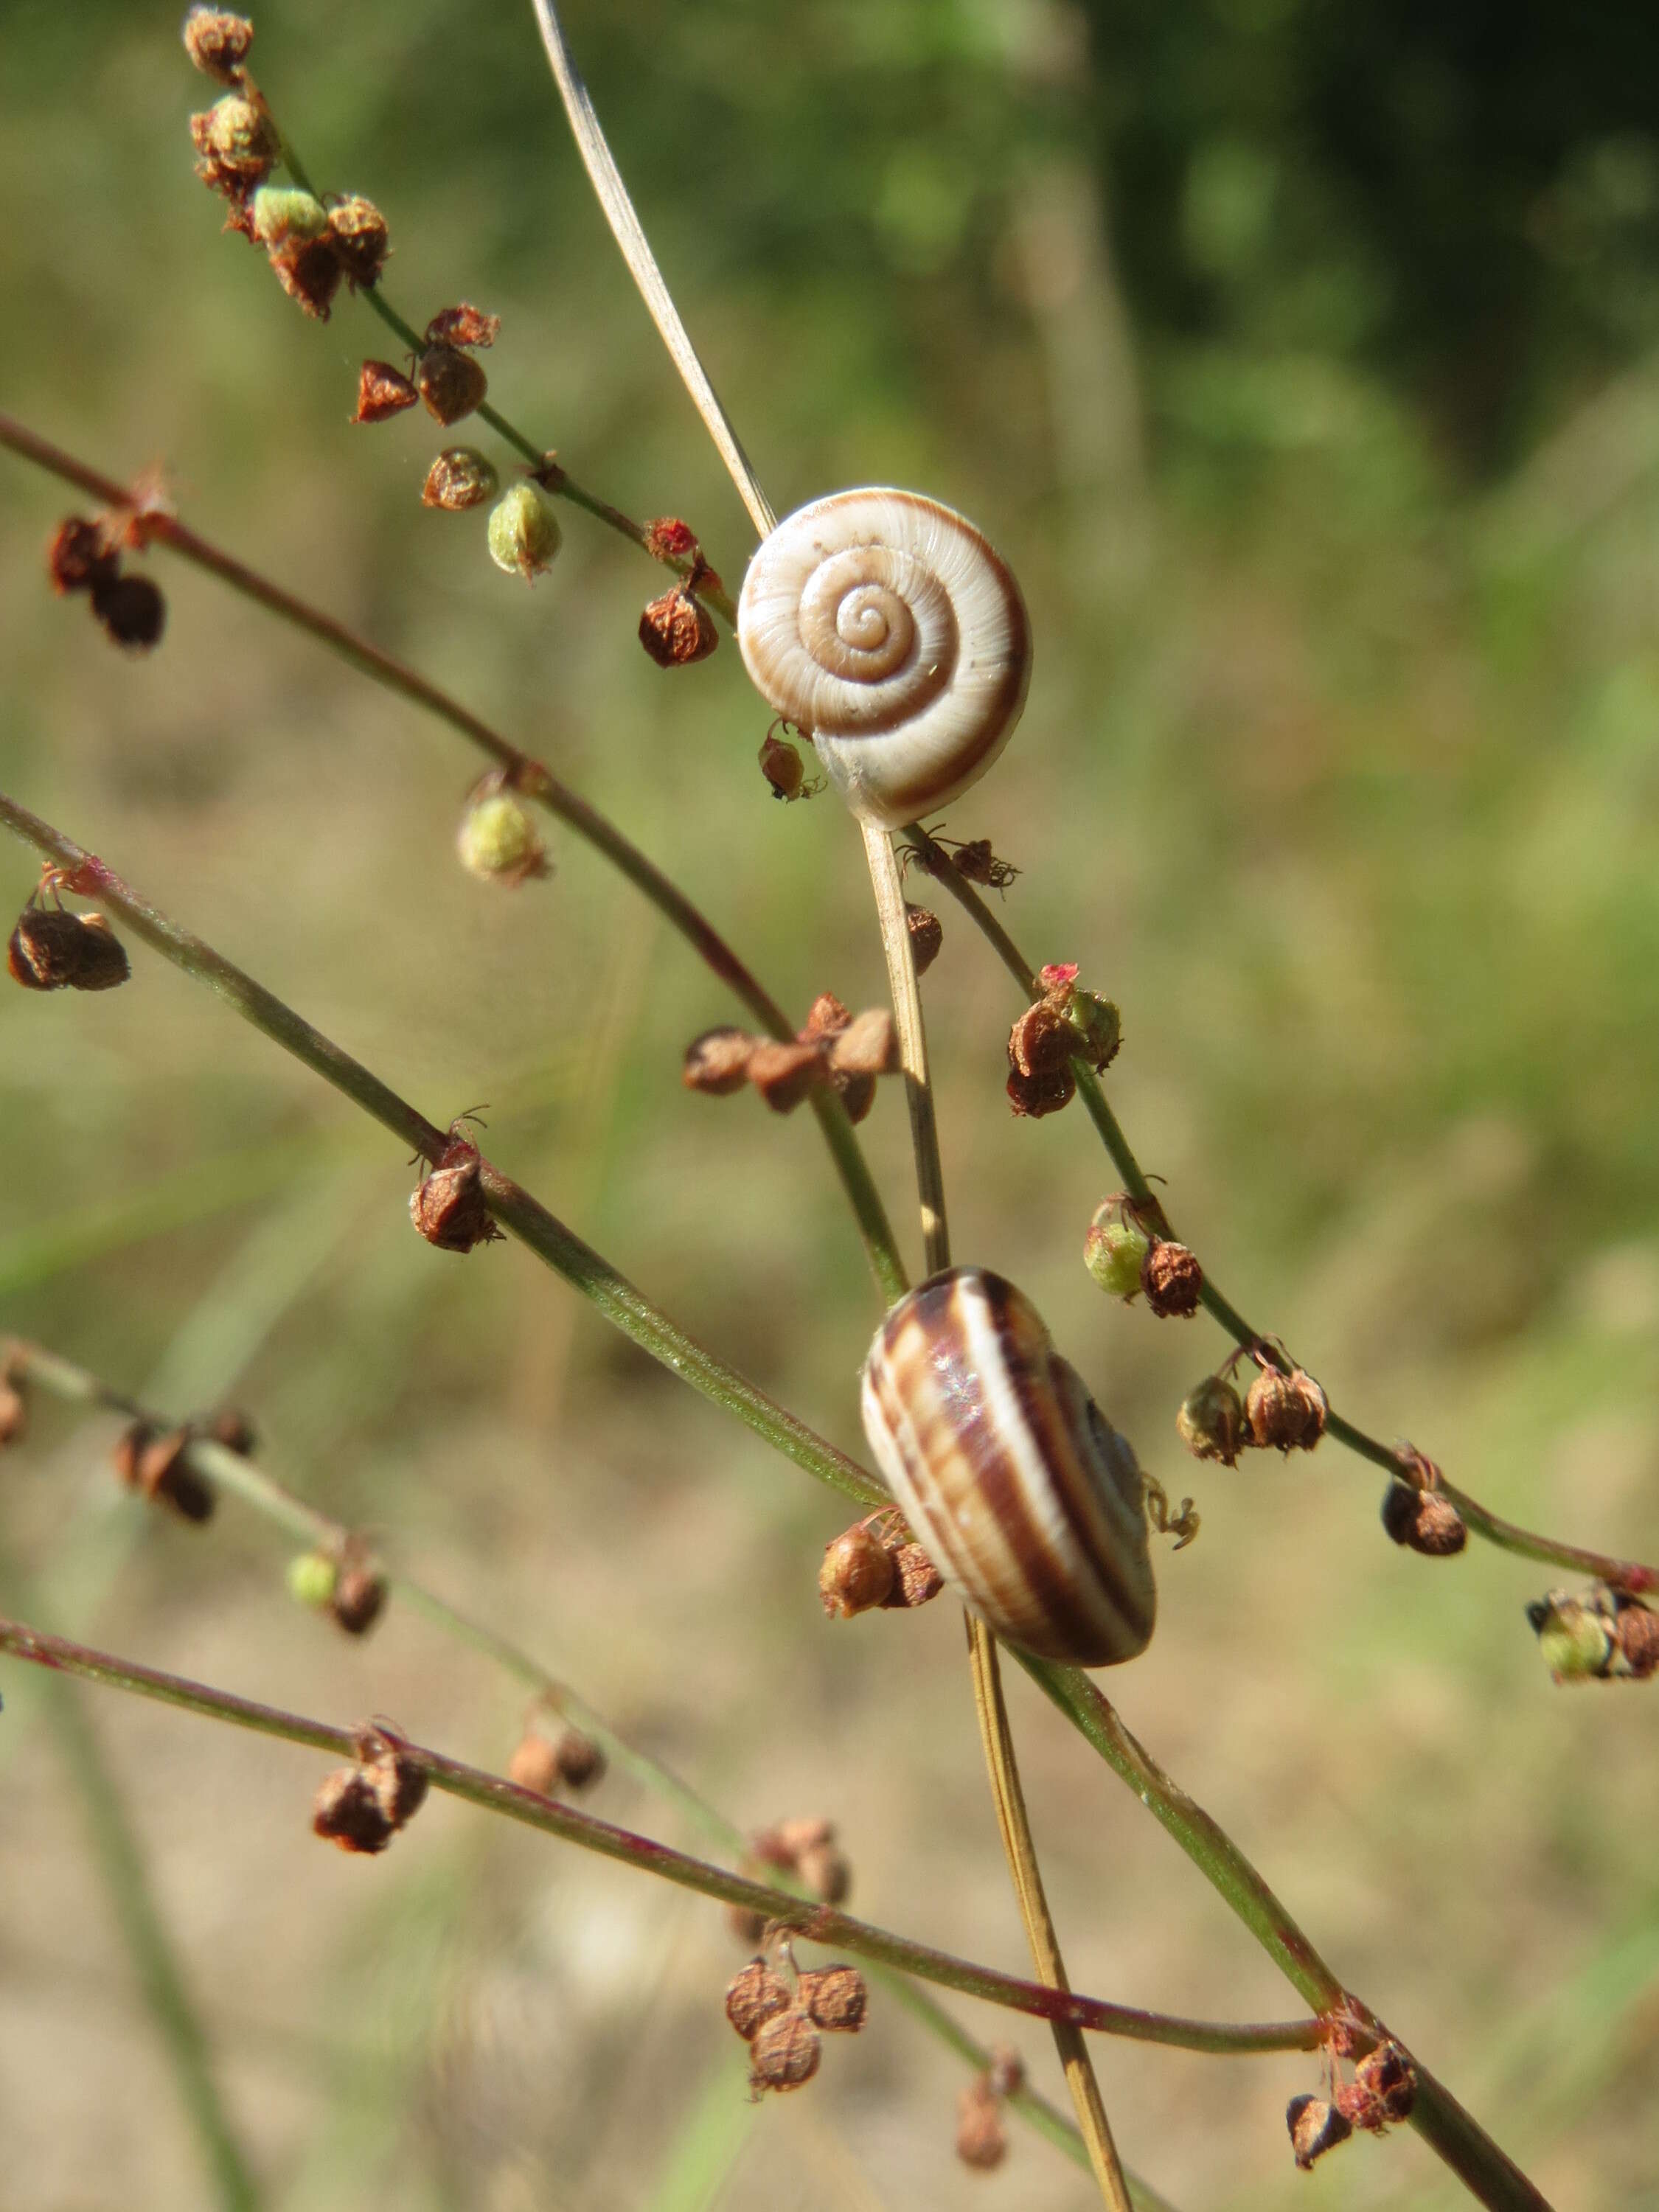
[121, 1861]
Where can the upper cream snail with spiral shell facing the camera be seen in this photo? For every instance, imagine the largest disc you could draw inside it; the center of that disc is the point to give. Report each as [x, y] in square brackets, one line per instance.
[895, 636]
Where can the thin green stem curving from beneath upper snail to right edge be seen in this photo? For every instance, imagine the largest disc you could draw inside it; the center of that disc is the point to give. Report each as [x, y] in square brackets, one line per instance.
[1631, 1576]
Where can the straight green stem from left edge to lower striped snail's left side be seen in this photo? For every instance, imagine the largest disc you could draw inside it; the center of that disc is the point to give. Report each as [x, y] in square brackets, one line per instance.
[517, 1211]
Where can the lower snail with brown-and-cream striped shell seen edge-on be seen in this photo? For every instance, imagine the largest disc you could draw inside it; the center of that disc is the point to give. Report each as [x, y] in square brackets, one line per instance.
[1010, 1474]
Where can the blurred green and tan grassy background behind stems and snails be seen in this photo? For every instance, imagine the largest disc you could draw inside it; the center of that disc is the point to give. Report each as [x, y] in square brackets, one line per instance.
[1304, 359]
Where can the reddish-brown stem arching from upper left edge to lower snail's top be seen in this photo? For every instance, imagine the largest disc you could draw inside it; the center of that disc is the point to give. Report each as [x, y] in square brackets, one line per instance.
[534, 782]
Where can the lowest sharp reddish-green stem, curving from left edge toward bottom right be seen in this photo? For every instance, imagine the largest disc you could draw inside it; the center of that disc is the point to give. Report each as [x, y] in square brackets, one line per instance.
[806, 1919]
